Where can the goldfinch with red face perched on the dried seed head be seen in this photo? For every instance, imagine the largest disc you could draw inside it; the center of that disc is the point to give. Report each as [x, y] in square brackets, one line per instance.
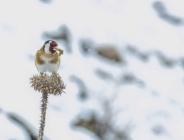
[47, 58]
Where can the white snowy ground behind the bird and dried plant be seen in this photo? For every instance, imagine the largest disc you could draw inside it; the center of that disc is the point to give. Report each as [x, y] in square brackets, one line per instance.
[120, 22]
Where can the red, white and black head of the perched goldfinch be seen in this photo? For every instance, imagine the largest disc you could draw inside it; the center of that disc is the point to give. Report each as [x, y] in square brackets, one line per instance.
[50, 47]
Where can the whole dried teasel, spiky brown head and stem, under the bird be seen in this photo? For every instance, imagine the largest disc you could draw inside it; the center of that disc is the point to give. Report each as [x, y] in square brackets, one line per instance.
[47, 85]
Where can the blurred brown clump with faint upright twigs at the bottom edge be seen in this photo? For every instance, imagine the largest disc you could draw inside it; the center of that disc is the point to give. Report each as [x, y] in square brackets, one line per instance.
[103, 125]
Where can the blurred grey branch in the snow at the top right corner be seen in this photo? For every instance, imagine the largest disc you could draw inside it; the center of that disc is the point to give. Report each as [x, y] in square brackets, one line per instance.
[163, 13]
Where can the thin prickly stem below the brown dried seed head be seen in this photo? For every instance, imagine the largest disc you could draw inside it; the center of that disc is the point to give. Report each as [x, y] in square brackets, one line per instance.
[44, 102]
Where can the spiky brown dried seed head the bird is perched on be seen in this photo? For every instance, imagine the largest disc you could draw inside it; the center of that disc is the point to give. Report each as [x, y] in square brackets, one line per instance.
[51, 84]
